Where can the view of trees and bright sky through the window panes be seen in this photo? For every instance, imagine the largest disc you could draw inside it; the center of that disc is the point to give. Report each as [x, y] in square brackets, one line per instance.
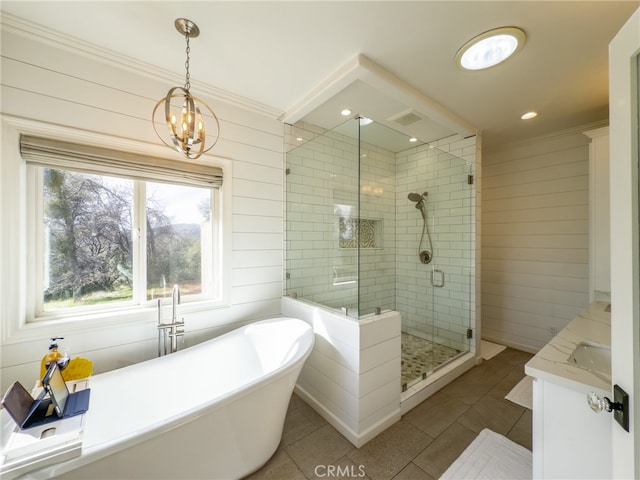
[89, 226]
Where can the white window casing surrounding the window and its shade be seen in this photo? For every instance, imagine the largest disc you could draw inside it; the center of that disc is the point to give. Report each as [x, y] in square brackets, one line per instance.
[17, 265]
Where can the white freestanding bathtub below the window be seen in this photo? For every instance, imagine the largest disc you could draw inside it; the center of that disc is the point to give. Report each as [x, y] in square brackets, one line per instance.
[214, 411]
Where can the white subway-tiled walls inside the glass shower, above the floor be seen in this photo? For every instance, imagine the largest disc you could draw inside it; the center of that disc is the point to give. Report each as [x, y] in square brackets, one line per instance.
[322, 186]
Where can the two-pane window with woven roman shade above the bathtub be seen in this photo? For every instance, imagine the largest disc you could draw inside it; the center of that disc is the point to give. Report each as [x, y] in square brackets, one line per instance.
[117, 239]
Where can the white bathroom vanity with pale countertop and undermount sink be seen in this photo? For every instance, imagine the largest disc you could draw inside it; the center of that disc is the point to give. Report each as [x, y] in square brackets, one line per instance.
[569, 439]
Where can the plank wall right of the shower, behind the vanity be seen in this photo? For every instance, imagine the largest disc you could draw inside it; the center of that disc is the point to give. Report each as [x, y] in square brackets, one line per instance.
[535, 238]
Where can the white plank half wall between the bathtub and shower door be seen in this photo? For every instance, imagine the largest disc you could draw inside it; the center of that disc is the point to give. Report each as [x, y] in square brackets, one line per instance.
[352, 377]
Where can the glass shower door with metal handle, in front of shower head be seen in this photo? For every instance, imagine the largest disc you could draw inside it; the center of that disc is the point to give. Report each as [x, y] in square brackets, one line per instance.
[435, 204]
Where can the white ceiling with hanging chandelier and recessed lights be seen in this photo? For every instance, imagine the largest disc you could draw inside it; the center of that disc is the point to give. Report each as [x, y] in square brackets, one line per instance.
[279, 53]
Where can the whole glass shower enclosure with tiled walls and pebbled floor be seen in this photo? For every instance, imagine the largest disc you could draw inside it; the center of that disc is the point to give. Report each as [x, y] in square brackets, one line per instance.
[377, 222]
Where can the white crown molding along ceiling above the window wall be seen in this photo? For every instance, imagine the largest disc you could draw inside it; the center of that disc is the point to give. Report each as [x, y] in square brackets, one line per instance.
[26, 29]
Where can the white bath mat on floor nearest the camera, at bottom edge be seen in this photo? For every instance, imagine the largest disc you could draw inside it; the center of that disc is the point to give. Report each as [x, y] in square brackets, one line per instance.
[491, 456]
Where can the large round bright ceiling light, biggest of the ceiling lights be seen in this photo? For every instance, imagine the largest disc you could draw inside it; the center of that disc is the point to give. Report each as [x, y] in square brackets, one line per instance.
[490, 48]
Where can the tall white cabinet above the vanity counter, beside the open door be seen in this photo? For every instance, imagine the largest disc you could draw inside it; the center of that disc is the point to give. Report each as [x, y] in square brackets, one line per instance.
[599, 230]
